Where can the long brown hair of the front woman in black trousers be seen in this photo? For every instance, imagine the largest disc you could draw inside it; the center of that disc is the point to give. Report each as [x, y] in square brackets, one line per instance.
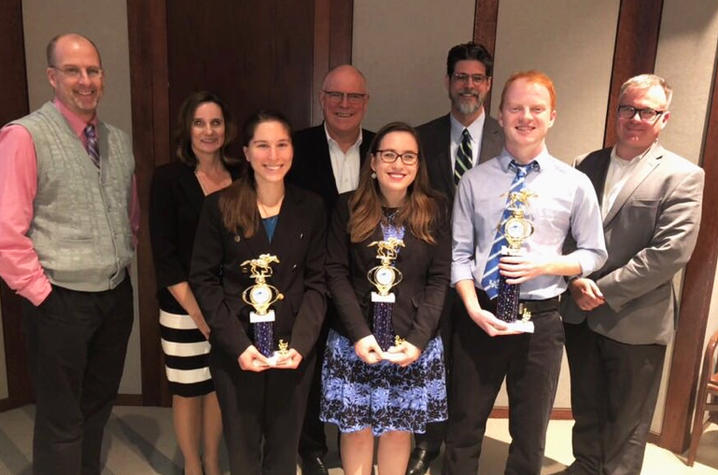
[238, 203]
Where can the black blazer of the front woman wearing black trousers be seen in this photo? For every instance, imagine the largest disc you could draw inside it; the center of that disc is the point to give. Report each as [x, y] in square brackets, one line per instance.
[218, 280]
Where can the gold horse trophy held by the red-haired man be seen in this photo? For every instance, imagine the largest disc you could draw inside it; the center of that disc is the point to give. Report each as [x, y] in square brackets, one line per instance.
[516, 230]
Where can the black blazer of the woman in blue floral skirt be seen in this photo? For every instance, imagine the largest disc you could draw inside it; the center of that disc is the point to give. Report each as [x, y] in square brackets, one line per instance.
[419, 296]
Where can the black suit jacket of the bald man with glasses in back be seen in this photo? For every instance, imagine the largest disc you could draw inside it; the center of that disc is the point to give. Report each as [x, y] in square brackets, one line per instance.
[312, 166]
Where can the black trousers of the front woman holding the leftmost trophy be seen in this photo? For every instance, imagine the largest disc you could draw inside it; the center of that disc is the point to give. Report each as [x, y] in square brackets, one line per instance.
[262, 414]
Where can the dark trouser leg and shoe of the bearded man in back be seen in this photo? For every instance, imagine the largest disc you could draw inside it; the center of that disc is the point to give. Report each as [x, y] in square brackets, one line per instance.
[454, 308]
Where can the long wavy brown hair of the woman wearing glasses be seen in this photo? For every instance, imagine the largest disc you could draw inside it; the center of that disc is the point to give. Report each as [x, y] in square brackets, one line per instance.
[421, 208]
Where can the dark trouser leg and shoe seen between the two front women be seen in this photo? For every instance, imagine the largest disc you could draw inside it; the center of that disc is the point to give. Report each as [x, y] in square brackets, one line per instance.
[313, 440]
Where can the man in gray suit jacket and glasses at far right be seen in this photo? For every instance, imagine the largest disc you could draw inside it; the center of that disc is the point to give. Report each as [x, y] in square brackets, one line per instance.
[619, 320]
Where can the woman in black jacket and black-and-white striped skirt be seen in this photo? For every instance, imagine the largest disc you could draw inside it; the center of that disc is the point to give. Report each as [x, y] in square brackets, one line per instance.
[204, 131]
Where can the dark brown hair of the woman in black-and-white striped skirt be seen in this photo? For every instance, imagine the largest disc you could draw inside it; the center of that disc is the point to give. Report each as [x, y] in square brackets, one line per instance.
[183, 129]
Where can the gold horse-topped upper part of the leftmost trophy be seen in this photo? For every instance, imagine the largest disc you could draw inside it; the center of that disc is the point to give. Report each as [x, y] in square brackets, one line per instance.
[261, 295]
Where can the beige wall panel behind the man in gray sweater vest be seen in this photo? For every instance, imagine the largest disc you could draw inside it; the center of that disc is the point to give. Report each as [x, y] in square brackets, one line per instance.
[105, 22]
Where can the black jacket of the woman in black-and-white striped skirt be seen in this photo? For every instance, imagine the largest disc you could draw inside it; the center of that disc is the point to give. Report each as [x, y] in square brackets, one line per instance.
[176, 199]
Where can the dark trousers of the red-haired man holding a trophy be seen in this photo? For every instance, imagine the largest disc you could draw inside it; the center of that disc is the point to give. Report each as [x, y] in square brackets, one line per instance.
[530, 363]
